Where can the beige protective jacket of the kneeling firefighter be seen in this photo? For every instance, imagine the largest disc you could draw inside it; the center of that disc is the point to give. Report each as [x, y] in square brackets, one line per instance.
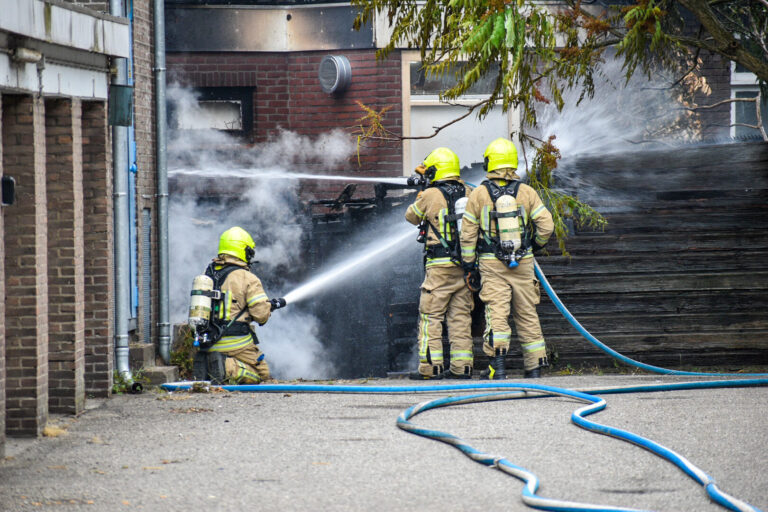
[243, 290]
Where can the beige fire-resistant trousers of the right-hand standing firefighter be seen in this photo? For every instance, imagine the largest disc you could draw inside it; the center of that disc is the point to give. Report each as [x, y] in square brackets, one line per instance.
[505, 288]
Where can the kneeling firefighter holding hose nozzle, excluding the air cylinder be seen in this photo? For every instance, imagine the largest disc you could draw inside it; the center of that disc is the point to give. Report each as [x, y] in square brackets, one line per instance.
[235, 355]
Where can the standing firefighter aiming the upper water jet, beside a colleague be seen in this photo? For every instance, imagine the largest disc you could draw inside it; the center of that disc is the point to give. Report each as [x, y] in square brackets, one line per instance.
[438, 211]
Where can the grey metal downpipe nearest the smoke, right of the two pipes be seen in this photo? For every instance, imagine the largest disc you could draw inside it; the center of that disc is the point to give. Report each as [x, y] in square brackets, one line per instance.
[163, 323]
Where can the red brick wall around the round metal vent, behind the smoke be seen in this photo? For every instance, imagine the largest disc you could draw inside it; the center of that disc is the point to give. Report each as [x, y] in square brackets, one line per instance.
[288, 95]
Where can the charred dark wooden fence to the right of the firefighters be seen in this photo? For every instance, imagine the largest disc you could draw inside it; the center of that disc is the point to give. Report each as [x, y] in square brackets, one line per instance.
[680, 274]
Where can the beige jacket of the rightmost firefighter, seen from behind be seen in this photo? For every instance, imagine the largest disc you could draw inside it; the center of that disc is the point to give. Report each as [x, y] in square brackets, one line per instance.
[477, 218]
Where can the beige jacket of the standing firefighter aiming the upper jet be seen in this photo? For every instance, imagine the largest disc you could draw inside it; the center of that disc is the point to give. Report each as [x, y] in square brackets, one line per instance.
[432, 206]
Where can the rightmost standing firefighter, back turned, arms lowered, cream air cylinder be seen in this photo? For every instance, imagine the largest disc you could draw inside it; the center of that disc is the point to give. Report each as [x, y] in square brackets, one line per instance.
[504, 222]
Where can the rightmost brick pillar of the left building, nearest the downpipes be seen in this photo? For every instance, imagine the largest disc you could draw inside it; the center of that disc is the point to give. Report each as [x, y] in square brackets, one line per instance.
[99, 242]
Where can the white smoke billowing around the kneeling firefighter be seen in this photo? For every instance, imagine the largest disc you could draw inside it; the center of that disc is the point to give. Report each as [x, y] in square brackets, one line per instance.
[200, 209]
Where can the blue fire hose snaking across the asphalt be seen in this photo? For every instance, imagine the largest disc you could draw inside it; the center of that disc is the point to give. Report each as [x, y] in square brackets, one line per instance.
[513, 390]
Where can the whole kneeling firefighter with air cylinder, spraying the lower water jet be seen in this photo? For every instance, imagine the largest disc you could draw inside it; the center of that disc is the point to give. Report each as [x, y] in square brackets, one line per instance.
[225, 300]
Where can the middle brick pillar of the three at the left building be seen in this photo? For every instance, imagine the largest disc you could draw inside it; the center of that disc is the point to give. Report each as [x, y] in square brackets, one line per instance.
[64, 177]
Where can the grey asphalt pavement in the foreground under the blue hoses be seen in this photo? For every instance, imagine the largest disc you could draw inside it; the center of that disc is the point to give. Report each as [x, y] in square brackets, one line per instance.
[290, 451]
